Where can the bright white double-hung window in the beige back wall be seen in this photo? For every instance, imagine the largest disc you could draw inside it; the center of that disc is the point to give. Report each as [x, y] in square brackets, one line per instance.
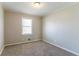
[26, 26]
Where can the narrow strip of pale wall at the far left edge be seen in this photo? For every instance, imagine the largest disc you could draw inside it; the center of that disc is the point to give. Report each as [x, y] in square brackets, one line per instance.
[1, 29]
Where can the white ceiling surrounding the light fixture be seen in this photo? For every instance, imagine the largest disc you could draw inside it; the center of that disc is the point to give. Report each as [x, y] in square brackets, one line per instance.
[26, 7]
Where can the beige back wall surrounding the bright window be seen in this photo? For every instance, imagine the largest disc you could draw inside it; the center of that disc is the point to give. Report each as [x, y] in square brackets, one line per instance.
[13, 28]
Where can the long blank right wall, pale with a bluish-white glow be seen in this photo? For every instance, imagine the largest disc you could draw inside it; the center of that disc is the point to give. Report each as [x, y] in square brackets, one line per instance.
[62, 28]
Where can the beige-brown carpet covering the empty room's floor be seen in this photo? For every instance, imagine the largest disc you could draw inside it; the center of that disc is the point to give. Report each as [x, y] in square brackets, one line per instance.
[39, 48]
